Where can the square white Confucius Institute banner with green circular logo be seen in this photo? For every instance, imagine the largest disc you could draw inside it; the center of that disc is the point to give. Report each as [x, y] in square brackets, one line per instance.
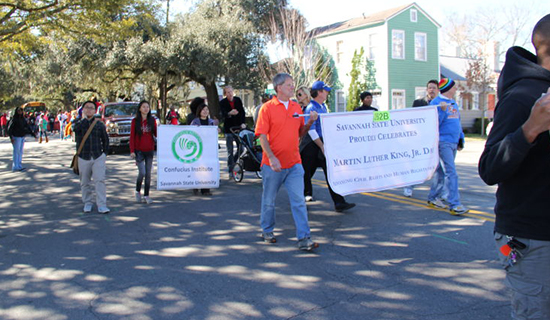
[187, 157]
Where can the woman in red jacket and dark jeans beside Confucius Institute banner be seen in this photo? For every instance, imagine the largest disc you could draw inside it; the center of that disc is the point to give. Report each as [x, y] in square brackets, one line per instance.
[142, 148]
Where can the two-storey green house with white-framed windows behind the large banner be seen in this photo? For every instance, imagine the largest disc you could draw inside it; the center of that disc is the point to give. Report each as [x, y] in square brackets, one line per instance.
[403, 44]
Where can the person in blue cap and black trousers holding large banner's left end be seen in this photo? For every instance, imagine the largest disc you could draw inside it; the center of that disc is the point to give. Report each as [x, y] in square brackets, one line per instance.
[312, 149]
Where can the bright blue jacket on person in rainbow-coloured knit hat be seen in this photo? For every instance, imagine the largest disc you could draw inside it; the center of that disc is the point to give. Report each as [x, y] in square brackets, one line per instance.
[450, 129]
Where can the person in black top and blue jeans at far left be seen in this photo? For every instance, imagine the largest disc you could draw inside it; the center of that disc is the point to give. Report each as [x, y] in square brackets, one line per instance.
[18, 128]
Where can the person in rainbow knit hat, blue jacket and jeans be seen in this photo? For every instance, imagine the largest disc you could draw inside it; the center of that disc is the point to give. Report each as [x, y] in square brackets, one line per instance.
[451, 138]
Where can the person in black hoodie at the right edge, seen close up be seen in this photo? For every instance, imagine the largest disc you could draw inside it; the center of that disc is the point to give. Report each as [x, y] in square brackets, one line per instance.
[517, 158]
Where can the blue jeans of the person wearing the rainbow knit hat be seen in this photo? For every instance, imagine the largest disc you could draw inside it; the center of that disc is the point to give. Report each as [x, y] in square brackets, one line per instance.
[445, 179]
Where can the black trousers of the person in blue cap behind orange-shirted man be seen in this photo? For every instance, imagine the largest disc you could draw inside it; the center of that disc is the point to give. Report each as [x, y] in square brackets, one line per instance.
[312, 157]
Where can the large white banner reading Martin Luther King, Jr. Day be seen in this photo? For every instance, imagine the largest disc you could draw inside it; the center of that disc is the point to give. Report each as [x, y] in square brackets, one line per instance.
[364, 155]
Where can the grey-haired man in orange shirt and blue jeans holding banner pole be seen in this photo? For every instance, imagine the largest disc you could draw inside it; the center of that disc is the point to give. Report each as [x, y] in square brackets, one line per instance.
[280, 129]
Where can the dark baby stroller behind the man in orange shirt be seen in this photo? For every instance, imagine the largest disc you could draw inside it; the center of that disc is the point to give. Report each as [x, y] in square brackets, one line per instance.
[249, 154]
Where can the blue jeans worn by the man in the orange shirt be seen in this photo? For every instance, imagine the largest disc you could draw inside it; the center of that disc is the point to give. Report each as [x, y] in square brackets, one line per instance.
[293, 179]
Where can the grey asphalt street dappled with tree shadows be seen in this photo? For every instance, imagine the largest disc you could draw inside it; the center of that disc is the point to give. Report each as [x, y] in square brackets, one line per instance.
[194, 257]
